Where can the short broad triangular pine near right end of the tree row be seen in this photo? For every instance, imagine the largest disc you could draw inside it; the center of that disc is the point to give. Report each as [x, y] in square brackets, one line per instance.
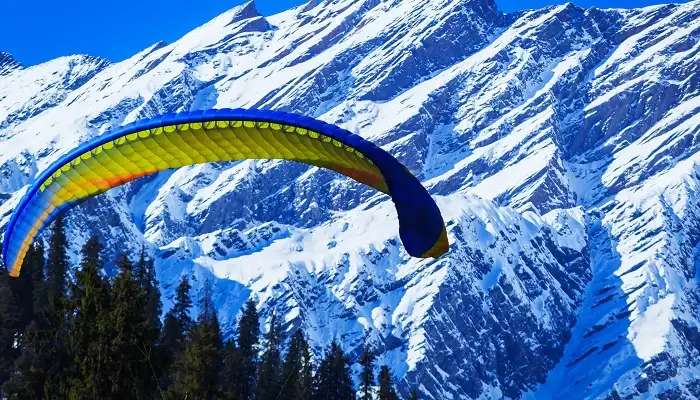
[333, 379]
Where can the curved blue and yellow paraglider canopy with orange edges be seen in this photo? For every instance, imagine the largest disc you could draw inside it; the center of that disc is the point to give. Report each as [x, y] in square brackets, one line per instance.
[176, 140]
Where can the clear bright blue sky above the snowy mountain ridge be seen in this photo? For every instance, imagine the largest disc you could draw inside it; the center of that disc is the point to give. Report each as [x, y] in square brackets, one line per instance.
[39, 30]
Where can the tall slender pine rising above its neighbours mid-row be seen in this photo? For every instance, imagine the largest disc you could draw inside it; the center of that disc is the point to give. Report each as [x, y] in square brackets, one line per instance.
[248, 338]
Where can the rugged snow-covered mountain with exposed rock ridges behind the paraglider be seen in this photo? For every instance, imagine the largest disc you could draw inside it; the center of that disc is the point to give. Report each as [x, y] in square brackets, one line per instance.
[562, 146]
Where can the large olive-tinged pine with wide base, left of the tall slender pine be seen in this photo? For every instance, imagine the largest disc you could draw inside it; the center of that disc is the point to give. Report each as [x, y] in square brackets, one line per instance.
[196, 373]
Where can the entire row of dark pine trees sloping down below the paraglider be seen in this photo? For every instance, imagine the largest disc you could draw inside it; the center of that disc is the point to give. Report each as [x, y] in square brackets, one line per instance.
[93, 337]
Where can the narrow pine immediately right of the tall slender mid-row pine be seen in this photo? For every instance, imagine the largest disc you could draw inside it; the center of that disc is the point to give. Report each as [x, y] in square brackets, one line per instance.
[270, 368]
